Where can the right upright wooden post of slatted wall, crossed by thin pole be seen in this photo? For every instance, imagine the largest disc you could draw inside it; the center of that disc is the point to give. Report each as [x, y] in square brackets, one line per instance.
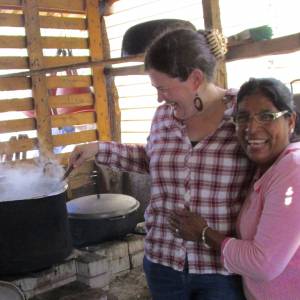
[99, 83]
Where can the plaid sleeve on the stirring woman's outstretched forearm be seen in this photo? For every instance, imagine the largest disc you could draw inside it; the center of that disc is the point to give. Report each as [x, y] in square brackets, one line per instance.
[125, 157]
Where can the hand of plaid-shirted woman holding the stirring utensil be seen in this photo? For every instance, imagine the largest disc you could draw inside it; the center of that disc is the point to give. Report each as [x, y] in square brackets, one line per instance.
[82, 153]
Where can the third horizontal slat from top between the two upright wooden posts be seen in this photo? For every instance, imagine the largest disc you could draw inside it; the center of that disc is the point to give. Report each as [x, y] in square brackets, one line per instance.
[63, 43]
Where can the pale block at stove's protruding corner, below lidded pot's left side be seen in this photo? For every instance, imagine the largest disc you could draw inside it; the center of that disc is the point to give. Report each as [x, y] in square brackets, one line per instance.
[91, 264]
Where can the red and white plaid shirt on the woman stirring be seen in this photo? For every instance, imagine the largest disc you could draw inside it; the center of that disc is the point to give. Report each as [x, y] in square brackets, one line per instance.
[210, 179]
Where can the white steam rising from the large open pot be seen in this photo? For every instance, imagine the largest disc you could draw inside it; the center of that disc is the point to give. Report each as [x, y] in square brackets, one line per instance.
[30, 182]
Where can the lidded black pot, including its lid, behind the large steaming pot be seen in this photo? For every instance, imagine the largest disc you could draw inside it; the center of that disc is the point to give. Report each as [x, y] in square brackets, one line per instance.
[98, 218]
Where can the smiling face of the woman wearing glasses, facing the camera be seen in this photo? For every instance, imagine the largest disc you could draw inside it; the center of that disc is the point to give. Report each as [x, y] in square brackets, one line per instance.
[263, 142]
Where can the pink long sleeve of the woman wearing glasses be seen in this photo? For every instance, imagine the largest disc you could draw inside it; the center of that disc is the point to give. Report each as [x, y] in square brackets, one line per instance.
[278, 231]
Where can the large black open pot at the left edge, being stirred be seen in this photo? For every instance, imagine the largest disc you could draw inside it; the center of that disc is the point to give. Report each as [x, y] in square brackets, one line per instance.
[34, 233]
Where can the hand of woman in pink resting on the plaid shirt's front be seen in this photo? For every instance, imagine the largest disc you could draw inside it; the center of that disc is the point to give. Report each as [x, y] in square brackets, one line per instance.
[187, 225]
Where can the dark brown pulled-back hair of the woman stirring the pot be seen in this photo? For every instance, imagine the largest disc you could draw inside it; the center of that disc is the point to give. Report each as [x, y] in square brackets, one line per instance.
[178, 52]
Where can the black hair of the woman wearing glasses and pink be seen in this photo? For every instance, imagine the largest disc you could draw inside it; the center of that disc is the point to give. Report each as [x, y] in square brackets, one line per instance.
[275, 90]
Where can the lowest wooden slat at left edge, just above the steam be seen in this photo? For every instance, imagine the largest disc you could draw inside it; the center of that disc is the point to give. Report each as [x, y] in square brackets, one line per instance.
[20, 145]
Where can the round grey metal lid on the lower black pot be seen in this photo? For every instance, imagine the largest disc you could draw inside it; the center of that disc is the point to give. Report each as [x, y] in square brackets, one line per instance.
[101, 206]
